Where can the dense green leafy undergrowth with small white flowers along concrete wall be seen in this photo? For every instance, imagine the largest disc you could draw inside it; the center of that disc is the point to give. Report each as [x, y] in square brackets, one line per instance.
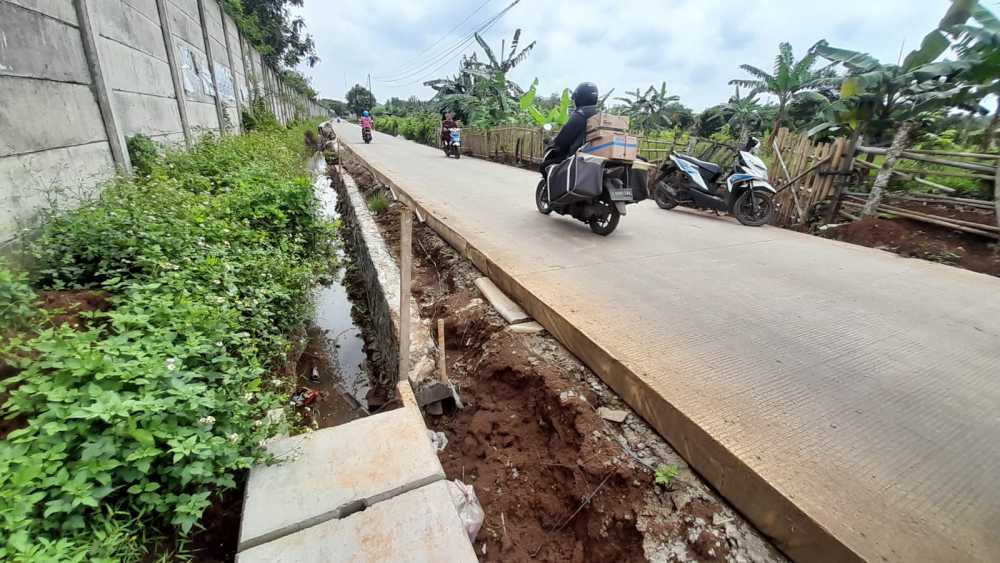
[130, 421]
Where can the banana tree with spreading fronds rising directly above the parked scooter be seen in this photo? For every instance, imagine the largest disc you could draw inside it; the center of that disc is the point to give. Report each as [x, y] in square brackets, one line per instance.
[789, 78]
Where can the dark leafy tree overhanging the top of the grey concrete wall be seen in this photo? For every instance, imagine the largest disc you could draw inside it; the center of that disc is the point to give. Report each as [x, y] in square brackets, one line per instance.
[280, 38]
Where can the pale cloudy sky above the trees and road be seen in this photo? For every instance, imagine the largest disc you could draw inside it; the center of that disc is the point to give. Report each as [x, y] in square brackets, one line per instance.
[695, 46]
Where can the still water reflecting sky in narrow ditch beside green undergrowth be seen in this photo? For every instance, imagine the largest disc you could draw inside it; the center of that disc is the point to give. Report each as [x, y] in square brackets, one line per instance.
[334, 363]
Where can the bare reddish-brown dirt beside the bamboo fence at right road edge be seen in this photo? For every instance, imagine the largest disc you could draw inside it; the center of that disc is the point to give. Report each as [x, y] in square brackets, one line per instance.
[921, 240]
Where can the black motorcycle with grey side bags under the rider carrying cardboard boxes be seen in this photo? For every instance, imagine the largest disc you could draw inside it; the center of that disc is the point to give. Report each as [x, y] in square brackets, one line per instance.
[602, 206]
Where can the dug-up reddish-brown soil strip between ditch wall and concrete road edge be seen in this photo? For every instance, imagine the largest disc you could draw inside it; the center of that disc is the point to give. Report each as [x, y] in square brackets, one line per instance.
[556, 480]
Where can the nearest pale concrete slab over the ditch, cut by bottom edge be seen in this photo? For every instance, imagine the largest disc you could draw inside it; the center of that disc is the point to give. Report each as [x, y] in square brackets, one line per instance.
[421, 526]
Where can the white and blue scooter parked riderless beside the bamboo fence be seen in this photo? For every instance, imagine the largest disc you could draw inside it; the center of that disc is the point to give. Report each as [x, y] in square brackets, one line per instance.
[746, 192]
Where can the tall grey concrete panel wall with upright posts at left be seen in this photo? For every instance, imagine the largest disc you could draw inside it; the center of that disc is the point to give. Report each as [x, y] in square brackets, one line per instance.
[78, 77]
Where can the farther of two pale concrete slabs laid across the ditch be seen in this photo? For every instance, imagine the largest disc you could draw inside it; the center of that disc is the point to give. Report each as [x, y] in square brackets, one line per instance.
[334, 472]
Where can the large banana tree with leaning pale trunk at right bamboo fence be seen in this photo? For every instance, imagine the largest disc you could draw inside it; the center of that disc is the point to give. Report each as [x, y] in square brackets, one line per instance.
[902, 93]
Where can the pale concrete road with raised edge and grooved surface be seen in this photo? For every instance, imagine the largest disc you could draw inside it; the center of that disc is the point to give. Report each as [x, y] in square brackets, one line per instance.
[845, 399]
